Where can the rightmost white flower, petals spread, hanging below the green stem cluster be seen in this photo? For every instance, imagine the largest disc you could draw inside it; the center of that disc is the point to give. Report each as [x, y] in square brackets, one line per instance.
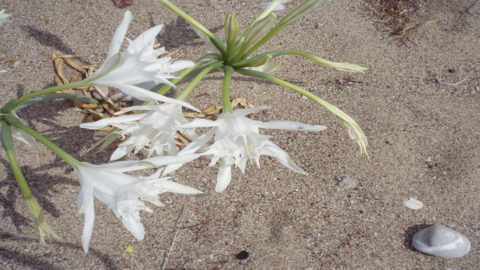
[237, 139]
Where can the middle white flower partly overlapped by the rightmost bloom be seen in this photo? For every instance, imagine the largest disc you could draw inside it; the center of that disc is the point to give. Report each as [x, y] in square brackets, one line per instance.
[151, 130]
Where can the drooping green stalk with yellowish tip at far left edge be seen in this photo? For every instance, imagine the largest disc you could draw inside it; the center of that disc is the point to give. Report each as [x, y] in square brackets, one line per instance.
[39, 220]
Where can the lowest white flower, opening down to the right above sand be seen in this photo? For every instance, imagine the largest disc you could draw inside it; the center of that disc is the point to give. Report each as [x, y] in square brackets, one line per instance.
[124, 194]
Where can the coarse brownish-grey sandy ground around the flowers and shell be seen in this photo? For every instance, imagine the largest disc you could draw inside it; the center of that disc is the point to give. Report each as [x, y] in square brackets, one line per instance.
[404, 103]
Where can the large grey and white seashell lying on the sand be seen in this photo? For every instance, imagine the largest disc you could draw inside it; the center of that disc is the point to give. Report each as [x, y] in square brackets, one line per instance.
[440, 241]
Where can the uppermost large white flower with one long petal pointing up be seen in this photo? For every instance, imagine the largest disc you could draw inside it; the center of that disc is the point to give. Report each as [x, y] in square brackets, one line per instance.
[137, 64]
